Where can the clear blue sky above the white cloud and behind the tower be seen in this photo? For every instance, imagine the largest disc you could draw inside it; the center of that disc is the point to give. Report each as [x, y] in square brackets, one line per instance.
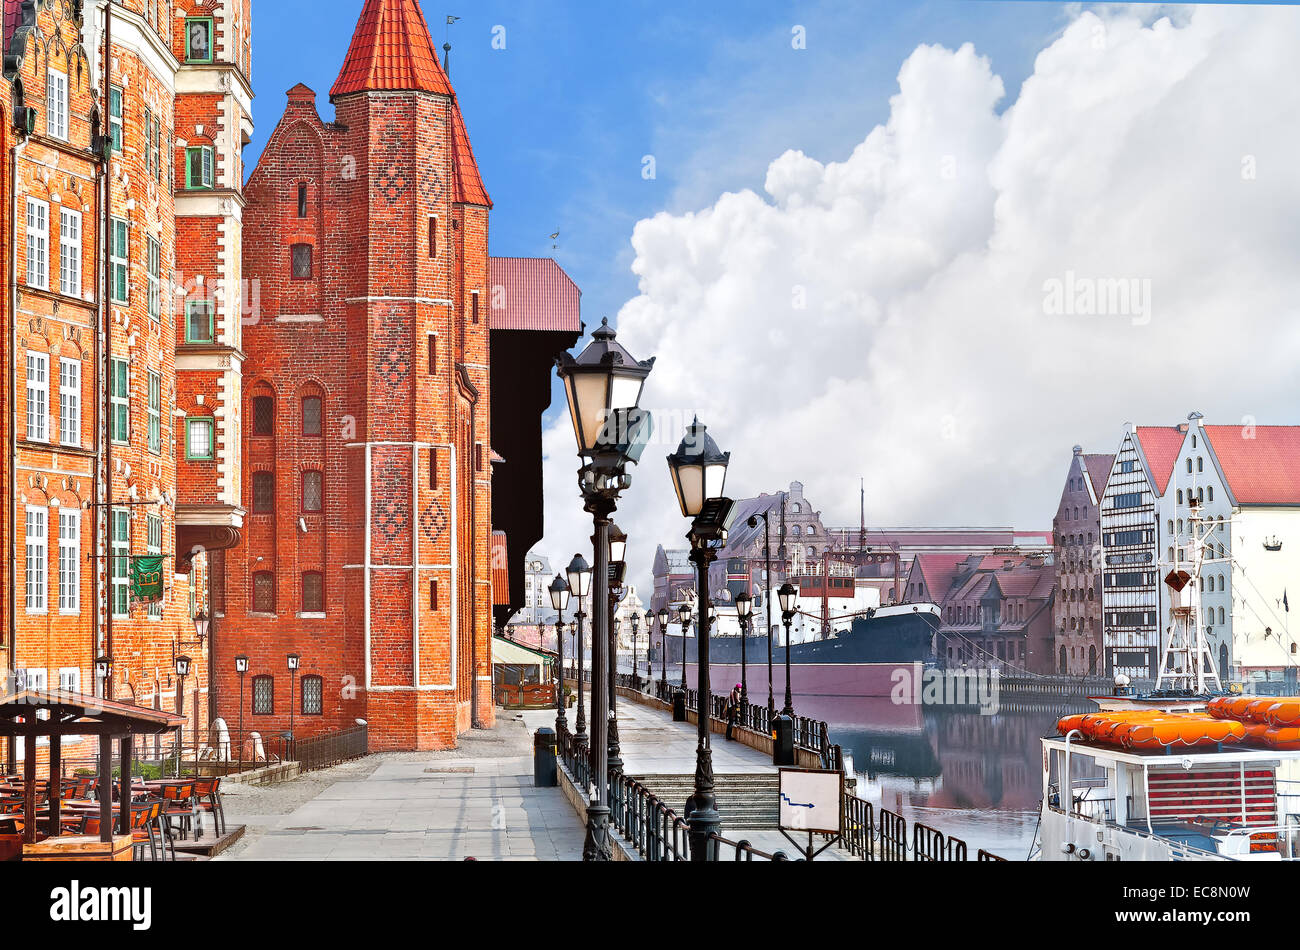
[564, 118]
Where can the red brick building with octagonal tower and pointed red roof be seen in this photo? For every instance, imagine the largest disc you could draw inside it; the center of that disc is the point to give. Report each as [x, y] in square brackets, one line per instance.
[366, 406]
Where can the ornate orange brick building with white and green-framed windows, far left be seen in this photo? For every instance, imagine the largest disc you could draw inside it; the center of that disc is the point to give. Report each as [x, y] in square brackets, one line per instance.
[123, 127]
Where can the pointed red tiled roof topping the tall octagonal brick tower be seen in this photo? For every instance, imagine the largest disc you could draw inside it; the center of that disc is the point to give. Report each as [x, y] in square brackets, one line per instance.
[391, 50]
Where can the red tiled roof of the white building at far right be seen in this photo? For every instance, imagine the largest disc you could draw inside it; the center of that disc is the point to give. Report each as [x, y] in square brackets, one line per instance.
[1262, 463]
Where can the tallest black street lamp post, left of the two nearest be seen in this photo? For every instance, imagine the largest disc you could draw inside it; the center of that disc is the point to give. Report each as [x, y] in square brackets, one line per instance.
[604, 391]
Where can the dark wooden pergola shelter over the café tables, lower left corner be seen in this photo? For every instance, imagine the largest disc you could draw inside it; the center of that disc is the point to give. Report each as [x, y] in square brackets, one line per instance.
[54, 714]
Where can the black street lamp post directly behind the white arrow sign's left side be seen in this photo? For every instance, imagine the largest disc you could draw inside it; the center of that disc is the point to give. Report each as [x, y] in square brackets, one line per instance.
[699, 472]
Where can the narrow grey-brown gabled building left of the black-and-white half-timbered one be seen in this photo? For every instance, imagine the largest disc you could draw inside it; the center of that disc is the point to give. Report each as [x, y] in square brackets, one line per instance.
[1077, 552]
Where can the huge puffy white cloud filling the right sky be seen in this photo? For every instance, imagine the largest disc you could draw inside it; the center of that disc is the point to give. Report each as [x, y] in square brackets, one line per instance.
[889, 316]
